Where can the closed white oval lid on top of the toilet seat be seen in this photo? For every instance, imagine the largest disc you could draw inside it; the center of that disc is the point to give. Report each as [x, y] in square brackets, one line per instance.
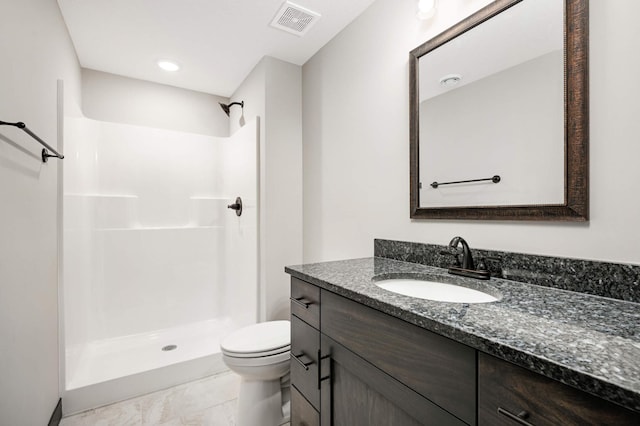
[260, 337]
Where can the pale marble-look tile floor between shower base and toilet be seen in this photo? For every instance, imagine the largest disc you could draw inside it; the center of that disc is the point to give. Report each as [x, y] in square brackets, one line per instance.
[207, 402]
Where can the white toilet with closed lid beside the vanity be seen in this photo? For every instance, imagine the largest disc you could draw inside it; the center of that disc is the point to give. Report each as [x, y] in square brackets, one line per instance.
[259, 353]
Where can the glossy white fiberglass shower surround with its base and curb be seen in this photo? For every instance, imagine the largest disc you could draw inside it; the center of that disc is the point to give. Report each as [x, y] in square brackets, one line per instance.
[156, 268]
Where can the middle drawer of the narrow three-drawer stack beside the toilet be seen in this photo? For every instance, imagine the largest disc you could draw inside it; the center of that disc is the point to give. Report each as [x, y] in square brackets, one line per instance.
[305, 348]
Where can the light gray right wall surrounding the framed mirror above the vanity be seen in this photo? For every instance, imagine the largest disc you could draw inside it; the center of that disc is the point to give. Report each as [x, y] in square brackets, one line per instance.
[356, 141]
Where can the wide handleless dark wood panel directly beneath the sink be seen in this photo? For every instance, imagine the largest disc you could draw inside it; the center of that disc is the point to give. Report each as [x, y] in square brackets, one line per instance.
[435, 367]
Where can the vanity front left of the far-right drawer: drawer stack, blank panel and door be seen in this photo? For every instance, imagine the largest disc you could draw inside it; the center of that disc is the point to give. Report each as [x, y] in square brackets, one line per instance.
[374, 369]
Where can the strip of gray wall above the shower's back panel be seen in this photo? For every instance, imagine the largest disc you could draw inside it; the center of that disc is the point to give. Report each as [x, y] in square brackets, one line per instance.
[110, 97]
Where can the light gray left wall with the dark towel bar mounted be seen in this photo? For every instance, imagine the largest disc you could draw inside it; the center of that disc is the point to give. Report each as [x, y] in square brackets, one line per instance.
[36, 51]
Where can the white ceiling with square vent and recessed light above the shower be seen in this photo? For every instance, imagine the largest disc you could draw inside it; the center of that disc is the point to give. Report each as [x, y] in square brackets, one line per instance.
[216, 42]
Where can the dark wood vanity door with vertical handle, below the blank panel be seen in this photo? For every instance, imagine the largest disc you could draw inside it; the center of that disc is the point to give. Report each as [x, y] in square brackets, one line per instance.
[355, 393]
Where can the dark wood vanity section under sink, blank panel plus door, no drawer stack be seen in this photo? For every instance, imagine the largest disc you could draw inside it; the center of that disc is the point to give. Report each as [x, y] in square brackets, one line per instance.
[383, 371]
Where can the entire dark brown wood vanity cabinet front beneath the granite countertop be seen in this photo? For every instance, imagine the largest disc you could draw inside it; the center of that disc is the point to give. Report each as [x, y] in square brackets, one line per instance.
[356, 366]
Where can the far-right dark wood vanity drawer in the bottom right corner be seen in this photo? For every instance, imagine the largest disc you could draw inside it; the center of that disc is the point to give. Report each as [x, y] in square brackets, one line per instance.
[506, 390]
